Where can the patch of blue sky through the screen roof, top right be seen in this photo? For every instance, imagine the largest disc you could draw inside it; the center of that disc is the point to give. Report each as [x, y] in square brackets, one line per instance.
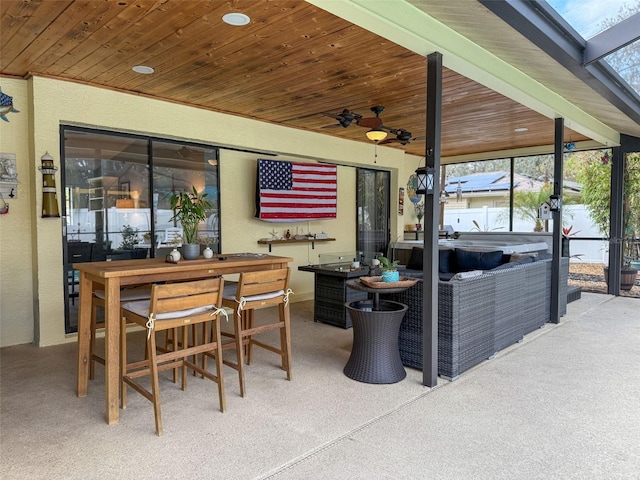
[586, 16]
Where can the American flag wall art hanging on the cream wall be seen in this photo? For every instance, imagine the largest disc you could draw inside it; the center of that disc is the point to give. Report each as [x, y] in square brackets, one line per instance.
[290, 191]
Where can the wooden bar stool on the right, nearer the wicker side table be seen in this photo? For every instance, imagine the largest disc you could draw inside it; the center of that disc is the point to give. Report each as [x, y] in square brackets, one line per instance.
[257, 290]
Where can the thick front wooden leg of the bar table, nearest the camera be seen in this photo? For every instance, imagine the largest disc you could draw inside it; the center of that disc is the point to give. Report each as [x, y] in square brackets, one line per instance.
[112, 350]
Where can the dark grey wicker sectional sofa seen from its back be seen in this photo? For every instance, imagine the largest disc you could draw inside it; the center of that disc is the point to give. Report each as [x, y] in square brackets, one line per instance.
[480, 315]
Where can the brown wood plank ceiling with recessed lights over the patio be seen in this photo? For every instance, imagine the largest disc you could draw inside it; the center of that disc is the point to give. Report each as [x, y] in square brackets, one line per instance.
[292, 62]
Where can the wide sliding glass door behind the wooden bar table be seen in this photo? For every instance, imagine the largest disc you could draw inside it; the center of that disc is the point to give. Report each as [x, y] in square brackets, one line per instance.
[116, 198]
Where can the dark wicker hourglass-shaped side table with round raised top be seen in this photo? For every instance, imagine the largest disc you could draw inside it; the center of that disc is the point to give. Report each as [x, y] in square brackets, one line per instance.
[375, 357]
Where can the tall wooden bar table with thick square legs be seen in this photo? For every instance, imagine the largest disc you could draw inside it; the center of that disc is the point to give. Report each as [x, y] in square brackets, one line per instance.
[112, 276]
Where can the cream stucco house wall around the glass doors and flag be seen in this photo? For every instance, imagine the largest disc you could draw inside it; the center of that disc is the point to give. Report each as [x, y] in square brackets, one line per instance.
[36, 274]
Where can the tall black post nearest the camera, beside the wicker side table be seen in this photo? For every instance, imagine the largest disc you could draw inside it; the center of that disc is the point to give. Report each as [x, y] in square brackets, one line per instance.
[431, 216]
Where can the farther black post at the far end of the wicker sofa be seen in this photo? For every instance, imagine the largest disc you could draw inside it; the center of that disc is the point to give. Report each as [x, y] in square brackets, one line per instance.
[558, 174]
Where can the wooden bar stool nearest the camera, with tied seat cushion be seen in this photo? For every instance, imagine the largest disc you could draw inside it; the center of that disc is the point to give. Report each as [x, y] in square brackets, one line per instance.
[174, 306]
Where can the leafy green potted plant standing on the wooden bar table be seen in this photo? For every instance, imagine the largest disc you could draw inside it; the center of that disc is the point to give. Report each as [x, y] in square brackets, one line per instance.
[190, 208]
